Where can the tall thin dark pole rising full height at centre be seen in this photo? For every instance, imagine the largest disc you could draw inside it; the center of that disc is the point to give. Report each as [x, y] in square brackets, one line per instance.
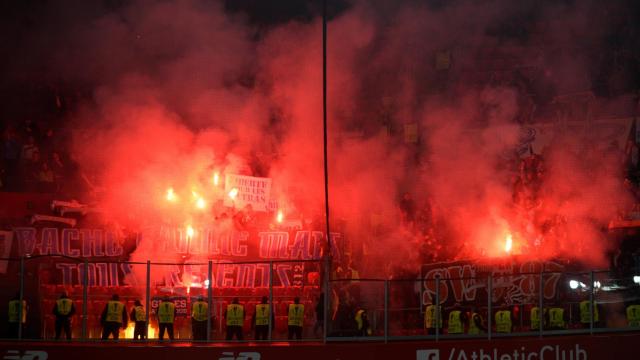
[327, 254]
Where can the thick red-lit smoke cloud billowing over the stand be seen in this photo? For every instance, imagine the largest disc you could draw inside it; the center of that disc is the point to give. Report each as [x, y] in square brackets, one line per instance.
[182, 89]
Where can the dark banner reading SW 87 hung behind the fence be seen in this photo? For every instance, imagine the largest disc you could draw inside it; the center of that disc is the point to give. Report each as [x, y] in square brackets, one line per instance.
[512, 282]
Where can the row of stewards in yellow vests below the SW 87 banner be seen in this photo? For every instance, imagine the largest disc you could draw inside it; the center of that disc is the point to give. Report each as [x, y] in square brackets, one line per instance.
[470, 321]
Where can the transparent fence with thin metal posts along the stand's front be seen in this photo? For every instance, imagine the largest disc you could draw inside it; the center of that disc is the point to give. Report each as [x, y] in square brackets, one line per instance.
[355, 310]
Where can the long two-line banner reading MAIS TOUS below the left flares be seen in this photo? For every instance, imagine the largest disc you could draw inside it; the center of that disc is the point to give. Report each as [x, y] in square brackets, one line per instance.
[240, 259]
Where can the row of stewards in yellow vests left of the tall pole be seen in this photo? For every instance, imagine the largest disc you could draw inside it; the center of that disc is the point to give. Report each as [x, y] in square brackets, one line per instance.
[115, 317]
